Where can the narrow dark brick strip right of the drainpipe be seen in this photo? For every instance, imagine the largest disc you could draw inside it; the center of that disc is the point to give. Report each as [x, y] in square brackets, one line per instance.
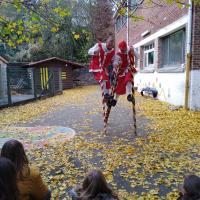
[196, 38]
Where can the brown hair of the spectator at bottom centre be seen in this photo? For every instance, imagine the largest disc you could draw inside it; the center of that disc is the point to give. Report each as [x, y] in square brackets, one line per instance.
[93, 185]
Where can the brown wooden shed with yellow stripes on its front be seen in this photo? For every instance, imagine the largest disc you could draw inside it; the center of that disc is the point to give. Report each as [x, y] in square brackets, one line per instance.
[52, 75]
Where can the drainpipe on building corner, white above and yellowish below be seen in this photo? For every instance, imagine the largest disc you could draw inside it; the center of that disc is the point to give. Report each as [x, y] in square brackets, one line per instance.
[188, 62]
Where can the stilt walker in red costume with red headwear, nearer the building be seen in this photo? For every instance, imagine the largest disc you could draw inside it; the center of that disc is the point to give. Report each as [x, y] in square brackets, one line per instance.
[124, 70]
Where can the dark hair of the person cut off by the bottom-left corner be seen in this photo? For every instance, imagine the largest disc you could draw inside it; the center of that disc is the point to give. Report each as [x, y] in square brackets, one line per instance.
[8, 175]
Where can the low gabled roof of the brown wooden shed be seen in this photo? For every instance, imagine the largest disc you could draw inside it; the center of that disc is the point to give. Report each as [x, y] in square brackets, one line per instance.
[55, 59]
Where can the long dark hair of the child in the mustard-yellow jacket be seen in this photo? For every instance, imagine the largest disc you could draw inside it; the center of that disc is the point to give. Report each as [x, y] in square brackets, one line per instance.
[14, 151]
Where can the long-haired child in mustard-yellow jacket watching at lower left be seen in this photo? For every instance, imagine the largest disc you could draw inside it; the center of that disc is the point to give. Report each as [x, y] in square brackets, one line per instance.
[29, 180]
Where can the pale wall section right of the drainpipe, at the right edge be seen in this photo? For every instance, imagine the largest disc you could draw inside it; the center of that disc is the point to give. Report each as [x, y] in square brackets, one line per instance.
[194, 101]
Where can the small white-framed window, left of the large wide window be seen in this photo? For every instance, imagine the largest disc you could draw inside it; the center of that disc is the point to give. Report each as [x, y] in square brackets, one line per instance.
[149, 55]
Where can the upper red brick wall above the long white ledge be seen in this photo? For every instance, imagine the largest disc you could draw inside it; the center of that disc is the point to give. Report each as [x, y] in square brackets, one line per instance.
[155, 18]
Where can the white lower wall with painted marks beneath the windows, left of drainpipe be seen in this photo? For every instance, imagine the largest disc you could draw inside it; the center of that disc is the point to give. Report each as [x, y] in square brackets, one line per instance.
[170, 86]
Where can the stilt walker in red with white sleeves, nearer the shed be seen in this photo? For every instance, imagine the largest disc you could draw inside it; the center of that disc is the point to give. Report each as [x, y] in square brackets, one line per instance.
[102, 56]
